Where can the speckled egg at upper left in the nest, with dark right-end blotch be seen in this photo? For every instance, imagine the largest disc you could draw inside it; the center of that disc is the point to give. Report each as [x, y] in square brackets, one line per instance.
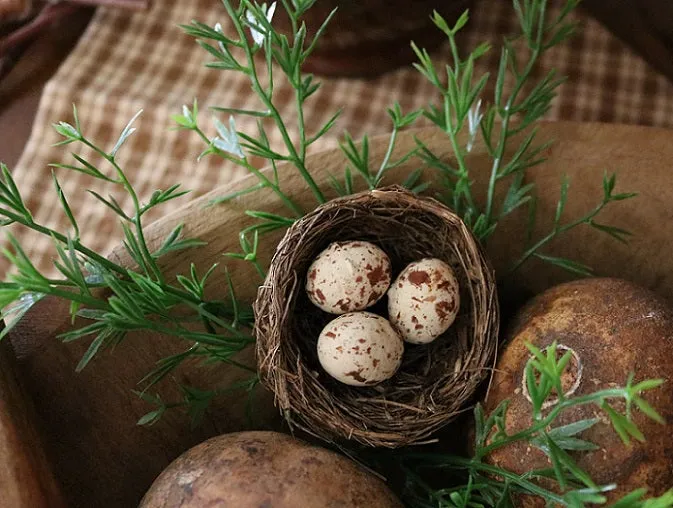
[348, 276]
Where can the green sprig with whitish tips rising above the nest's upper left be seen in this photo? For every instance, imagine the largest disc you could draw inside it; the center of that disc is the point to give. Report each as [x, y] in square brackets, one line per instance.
[280, 52]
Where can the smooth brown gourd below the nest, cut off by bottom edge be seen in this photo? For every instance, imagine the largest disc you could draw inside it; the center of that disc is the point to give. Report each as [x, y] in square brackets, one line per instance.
[265, 469]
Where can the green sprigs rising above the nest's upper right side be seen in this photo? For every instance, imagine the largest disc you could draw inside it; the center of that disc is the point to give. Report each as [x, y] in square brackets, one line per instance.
[506, 127]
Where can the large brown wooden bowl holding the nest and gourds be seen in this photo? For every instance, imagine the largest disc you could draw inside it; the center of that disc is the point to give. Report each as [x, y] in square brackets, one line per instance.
[89, 446]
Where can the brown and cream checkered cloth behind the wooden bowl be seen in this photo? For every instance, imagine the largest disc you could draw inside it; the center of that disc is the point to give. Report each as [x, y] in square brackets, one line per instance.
[127, 62]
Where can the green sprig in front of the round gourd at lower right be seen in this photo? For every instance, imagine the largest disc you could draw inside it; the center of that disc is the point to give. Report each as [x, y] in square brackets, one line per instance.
[564, 483]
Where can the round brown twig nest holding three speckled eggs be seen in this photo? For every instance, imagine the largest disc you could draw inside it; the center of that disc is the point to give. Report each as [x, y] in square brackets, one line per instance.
[435, 380]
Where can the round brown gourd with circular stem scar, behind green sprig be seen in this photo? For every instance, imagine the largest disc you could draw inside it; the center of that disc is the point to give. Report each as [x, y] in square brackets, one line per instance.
[613, 328]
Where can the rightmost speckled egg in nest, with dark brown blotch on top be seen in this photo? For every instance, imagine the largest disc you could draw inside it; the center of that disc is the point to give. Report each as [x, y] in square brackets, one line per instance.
[423, 301]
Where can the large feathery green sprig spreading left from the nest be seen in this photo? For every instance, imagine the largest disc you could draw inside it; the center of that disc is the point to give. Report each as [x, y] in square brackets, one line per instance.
[115, 299]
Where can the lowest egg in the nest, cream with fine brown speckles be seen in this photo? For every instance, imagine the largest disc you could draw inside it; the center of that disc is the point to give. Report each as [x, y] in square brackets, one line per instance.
[360, 349]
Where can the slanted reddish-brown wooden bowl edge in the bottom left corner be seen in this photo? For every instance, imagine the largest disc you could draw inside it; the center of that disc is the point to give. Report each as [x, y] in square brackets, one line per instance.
[26, 480]
